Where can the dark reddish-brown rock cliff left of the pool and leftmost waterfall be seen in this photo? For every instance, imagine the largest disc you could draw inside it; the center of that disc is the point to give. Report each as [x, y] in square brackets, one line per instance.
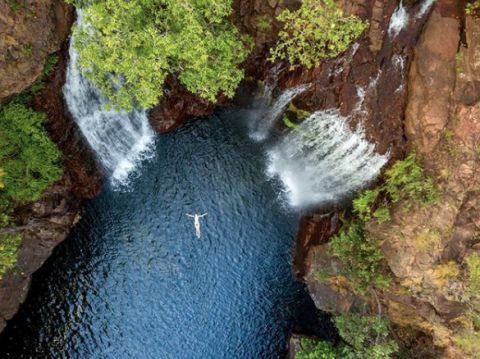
[46, 223]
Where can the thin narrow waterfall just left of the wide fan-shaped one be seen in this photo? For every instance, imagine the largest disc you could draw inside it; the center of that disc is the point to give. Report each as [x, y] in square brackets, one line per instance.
[271, 110]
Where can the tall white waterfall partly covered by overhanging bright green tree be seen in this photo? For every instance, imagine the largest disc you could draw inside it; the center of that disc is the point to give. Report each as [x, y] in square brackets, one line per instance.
[120, 140]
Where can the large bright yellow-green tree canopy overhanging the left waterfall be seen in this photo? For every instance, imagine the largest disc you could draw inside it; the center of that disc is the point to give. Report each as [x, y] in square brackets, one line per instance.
[128, 48]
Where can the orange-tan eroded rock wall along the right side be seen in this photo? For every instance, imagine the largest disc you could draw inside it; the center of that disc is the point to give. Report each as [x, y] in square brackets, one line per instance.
[425, 247]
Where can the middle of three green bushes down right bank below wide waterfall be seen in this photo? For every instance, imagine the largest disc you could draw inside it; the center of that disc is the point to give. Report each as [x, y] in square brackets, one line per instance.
[360, 256]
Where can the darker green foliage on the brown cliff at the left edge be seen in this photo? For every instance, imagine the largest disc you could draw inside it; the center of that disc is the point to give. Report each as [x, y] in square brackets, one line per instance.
[29, 161]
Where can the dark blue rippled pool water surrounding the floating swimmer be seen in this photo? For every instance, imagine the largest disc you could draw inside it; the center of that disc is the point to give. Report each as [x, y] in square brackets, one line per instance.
[133, 281]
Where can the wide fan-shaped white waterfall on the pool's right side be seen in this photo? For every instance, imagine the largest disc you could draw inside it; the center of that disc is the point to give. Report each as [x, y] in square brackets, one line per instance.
[322, 161]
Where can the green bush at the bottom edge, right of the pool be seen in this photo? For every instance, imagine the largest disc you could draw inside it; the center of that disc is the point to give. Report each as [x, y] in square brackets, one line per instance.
[367, 337]
